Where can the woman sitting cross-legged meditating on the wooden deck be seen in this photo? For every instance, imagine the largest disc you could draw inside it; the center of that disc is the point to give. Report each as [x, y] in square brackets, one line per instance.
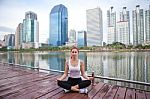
[74, 66]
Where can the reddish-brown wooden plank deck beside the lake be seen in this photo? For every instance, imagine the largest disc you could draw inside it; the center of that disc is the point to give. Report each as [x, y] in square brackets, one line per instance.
[19, 83]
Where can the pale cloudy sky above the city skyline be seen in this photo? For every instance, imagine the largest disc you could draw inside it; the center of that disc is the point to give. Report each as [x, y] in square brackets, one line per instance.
[12, 12]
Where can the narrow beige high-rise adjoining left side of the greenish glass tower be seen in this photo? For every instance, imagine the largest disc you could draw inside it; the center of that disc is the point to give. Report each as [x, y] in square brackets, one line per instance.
[18, 36]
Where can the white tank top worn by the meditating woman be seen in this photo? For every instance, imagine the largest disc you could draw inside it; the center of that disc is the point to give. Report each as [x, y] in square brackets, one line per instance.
[74, 71]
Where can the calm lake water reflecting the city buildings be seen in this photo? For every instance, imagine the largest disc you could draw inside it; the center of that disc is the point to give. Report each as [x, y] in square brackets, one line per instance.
[125, 65]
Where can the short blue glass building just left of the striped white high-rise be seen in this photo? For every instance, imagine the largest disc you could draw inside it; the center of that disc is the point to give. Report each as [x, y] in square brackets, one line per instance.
[82, 39]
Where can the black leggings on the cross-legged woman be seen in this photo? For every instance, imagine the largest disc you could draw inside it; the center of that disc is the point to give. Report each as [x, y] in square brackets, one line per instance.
[74, 81]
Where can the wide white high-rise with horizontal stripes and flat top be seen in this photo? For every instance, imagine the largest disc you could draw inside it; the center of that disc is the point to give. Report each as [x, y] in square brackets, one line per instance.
[94, 27]
